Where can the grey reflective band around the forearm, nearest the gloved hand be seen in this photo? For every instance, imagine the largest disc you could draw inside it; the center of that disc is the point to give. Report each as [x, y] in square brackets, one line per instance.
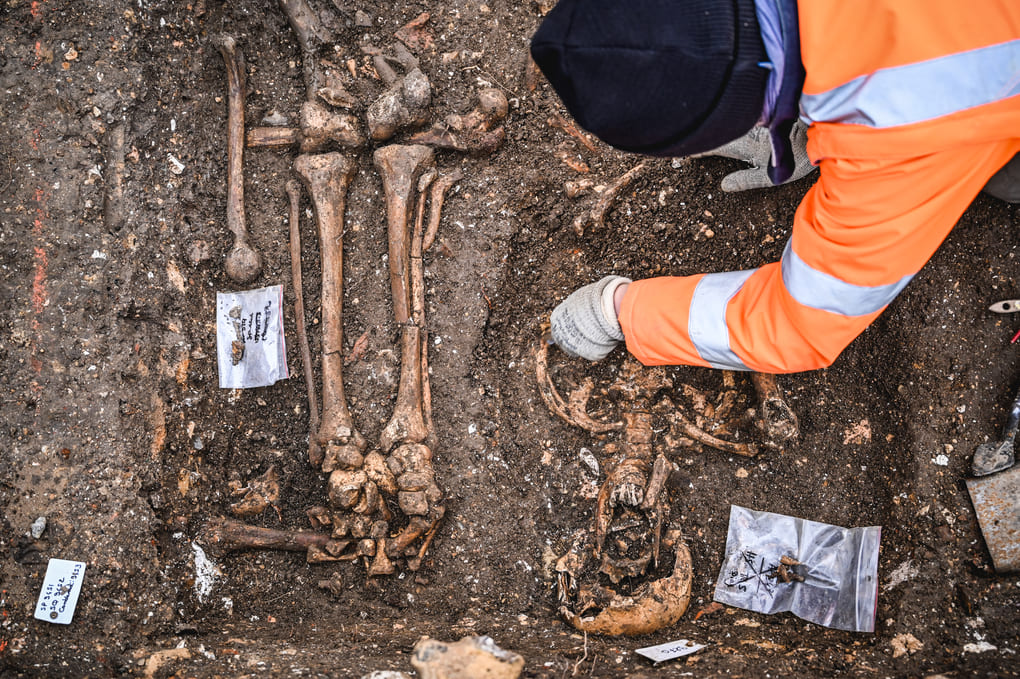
[707, 323]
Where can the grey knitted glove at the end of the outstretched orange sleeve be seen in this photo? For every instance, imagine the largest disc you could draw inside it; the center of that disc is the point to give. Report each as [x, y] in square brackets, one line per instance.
[585, 325]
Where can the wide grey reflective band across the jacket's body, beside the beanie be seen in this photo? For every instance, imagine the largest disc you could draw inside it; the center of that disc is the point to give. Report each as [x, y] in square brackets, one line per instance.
[922, 91]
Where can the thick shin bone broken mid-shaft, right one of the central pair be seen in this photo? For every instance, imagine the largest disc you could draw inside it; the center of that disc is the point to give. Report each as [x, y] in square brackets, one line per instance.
[400, 168]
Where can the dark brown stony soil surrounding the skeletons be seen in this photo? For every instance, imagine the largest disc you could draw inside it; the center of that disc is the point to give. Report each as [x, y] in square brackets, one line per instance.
[115, 429]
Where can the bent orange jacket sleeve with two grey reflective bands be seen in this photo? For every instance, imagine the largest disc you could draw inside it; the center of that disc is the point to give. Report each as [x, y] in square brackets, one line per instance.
[860, 235]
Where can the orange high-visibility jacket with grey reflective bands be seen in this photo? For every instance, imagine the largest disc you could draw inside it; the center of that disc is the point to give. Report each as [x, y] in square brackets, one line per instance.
[913, 107]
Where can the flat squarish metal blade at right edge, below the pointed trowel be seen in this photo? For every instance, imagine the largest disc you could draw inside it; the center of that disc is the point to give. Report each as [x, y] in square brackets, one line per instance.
[997, 502]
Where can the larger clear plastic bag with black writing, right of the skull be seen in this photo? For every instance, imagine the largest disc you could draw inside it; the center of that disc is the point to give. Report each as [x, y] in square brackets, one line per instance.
[823, 573]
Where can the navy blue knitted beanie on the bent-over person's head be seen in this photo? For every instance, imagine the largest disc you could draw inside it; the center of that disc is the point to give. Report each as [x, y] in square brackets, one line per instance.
[662, 78]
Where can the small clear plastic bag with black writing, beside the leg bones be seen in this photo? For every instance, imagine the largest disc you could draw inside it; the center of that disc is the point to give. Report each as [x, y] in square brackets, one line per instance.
[250, 348]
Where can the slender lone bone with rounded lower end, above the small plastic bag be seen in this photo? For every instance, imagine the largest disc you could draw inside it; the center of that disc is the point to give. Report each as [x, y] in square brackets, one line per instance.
[243, 265]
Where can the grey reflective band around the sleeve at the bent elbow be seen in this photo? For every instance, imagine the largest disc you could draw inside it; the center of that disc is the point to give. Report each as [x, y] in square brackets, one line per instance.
[823, 291]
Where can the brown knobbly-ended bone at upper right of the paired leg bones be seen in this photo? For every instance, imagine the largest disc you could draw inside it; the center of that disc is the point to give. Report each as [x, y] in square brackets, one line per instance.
[475, 132]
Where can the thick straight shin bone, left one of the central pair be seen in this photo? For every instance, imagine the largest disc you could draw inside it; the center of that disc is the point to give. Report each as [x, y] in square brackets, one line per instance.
[328, 178]
